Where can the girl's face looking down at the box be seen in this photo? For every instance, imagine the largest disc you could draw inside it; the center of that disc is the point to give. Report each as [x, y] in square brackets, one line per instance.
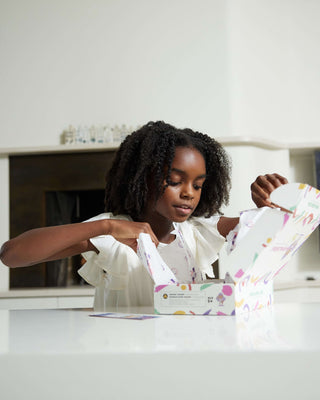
[183, 191]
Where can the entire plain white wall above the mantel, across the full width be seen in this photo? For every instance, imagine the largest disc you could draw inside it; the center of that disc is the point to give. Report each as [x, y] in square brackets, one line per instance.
[226, 67]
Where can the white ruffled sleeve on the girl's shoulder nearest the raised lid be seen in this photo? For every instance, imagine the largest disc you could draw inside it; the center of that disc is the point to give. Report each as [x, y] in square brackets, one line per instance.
[204, 240]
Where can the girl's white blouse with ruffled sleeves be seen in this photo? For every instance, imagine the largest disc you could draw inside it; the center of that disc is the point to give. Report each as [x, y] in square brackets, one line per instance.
[119, 276]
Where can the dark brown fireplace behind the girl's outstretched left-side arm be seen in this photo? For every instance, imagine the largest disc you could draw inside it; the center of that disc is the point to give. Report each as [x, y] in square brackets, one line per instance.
[54, 189]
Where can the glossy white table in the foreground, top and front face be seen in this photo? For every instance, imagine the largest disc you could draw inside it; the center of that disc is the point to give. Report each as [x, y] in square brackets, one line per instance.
[66, 354]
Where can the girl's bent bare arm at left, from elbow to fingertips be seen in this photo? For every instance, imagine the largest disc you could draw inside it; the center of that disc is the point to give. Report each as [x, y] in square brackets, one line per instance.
[56, 242]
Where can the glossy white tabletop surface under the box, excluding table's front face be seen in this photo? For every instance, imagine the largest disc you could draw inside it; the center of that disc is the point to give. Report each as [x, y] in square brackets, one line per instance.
[283, 327]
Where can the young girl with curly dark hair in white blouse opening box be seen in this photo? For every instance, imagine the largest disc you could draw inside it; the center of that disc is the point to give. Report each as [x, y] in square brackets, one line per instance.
[170, 183]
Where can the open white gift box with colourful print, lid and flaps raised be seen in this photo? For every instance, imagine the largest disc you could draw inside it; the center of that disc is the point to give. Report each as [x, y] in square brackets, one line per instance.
[258, 248]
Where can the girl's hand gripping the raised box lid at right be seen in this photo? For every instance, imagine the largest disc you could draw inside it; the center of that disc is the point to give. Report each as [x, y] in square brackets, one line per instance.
[262, 187]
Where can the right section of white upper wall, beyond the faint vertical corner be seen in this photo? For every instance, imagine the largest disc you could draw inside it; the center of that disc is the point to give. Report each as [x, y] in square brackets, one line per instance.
[274, 63]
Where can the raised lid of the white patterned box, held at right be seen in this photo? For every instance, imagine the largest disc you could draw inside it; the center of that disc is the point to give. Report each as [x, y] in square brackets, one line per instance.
[266, 238]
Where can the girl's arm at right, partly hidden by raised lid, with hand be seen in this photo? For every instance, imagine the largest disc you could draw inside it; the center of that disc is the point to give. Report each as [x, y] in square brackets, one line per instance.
[261, 189]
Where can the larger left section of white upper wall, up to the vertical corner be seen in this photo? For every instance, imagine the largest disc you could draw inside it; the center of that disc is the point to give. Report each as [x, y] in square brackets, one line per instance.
[106, 61]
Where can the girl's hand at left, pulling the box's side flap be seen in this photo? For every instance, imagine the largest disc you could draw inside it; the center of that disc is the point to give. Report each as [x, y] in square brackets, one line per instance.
[127, 232]
